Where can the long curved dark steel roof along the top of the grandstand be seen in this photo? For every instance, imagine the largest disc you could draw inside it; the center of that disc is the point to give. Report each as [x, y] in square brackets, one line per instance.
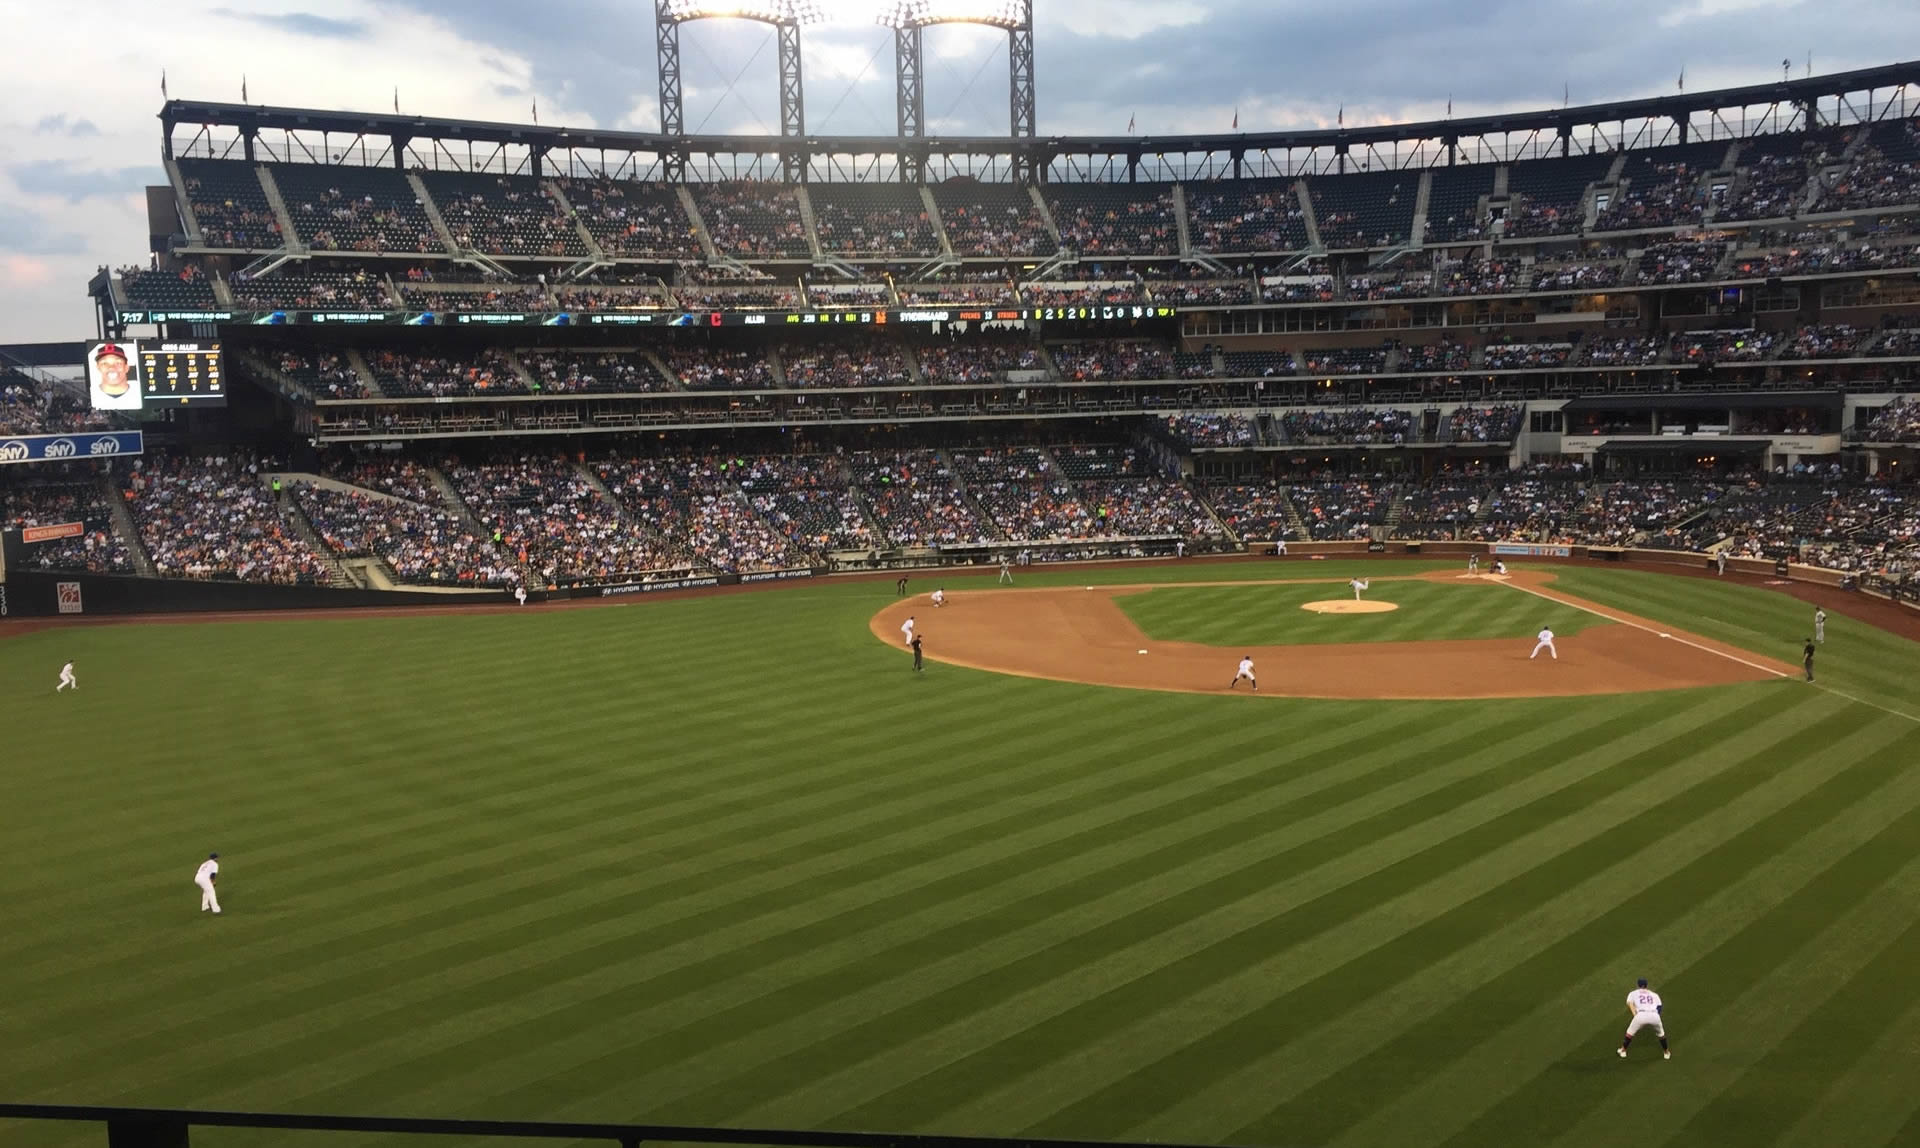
[539, 137]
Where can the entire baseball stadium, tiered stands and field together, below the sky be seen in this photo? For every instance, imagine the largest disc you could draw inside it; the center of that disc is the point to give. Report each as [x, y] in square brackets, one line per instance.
[732, 638]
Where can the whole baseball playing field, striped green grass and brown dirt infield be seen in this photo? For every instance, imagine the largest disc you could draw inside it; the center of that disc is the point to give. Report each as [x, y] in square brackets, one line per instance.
[732, 861]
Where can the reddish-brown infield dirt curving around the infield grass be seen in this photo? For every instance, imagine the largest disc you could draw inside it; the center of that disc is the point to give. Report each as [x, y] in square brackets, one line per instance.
[1072, 634]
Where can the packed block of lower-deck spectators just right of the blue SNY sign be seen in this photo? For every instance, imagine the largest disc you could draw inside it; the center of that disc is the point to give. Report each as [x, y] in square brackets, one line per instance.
[214, 517]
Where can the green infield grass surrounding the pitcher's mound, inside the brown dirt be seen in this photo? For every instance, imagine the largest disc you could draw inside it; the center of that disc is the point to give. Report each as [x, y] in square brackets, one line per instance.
[1274, 615]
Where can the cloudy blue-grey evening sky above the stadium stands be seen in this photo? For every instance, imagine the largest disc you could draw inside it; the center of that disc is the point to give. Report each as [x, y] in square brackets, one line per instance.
[80, 141]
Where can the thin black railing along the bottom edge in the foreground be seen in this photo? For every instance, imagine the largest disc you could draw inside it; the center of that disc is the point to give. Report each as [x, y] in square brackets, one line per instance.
[170, 1128]
